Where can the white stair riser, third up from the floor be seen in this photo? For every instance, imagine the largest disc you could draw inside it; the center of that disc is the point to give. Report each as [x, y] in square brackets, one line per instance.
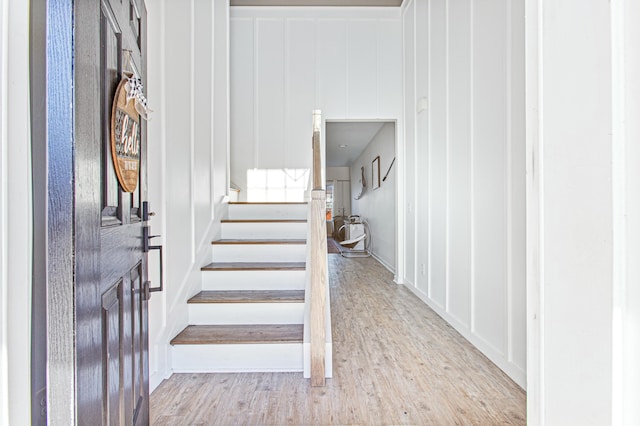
[253, 280]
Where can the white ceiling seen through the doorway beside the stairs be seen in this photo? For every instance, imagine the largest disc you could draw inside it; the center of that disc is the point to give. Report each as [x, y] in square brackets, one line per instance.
[355, 135]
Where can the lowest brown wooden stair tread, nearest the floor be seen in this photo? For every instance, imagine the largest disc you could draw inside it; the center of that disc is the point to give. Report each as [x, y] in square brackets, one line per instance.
[239, 334]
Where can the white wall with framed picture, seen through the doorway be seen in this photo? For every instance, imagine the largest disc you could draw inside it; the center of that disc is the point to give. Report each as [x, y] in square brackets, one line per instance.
[378, 206]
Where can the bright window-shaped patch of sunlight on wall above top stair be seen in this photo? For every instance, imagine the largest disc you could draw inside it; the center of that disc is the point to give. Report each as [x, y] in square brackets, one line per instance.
[277, 185]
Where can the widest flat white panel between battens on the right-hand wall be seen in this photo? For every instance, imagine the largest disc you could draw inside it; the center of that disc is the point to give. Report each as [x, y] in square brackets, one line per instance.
[490, 178]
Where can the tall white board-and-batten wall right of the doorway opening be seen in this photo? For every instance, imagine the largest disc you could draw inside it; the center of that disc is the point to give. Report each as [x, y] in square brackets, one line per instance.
[464, 170]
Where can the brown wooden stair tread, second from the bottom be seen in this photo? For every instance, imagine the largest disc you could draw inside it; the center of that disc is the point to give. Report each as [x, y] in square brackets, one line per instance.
[249, 296]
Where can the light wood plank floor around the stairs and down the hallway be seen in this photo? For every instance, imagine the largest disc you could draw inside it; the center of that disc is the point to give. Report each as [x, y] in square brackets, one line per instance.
[395, 362]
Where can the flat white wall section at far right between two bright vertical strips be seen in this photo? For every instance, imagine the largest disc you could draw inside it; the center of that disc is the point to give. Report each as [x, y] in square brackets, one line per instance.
[577, 211]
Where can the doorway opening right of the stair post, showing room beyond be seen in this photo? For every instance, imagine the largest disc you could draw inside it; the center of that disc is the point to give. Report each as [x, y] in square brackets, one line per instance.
[361, 178]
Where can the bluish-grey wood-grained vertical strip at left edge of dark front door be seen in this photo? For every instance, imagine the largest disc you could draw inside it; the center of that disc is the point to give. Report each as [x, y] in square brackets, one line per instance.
[59, 252]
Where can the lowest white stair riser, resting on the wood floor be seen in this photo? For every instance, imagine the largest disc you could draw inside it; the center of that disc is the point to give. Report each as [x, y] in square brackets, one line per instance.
[237, 358]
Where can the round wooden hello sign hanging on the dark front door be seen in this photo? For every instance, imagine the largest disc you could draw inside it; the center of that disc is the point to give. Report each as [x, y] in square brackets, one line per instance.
[125, 139]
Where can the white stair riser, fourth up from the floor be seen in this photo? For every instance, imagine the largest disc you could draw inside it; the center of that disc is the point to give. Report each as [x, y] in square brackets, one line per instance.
[259, 252]
